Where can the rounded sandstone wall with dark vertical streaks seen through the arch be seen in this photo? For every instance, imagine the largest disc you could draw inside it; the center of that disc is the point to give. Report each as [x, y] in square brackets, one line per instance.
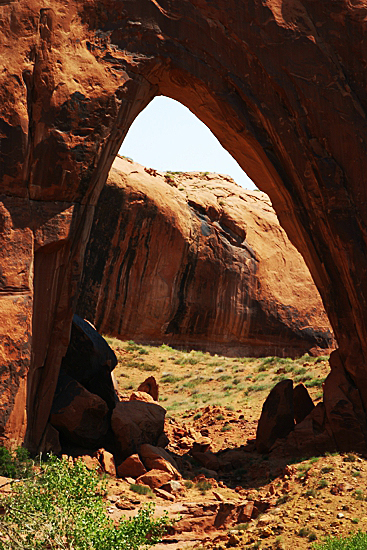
[196, 261]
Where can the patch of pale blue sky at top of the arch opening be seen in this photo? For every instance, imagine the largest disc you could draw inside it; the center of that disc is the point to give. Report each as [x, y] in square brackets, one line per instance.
[167, 136]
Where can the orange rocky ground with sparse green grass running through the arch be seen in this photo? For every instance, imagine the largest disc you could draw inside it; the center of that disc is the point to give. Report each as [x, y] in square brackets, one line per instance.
[252, 500]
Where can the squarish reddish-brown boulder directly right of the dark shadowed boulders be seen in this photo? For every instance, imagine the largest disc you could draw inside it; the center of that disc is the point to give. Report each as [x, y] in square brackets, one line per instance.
[135, 423]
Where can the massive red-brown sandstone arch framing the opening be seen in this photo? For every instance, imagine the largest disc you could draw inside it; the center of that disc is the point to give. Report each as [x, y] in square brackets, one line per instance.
[280, 83]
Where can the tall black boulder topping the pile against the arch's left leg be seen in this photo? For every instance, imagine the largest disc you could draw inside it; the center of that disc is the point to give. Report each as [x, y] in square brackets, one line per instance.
[90, 360]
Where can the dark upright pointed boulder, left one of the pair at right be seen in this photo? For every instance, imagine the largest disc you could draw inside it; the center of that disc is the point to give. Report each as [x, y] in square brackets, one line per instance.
[277, 416]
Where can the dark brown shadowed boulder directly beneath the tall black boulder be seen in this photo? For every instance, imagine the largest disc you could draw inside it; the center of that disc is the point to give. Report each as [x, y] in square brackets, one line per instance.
[79, 415]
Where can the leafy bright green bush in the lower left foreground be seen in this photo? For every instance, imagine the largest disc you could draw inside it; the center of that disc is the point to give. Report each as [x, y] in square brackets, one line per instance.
[62, 507]
